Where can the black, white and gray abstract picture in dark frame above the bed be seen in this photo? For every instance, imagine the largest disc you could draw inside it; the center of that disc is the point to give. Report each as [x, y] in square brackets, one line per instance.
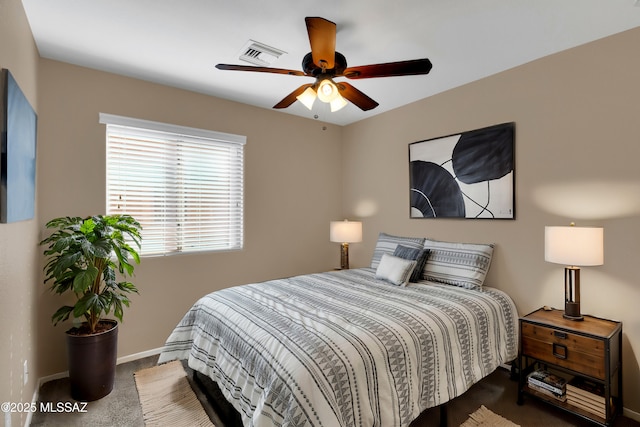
[465, 175]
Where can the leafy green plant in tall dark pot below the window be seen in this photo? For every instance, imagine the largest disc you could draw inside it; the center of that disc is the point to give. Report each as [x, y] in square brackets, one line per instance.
[85, 258]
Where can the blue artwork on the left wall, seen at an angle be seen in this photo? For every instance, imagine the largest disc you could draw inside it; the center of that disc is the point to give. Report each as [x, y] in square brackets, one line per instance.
[18, 123]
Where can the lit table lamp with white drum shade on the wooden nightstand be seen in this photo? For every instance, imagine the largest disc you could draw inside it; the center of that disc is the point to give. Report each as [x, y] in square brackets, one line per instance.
[574, 247]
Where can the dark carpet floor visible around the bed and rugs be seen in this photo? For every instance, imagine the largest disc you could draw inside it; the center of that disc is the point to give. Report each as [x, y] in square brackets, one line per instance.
[122, 407]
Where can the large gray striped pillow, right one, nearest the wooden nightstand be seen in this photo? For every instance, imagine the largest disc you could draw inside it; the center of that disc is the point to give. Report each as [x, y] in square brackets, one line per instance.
[459, 264]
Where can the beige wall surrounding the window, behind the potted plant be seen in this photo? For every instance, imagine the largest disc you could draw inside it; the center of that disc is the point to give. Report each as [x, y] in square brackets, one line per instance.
[292, 184]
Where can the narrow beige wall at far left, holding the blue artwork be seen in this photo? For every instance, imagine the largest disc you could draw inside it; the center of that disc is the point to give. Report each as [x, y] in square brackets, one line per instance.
[19, 263]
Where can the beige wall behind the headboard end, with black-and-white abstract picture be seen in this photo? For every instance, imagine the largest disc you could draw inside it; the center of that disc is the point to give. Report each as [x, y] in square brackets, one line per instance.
[577, 151]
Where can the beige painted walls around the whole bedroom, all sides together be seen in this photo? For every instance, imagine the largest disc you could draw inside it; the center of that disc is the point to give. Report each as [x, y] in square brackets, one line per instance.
[576, 153]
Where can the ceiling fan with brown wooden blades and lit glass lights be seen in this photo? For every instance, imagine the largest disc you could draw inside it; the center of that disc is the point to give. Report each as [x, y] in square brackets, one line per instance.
[324, 64]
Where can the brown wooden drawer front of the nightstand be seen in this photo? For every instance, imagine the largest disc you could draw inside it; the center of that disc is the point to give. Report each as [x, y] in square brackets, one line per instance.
[566, 349]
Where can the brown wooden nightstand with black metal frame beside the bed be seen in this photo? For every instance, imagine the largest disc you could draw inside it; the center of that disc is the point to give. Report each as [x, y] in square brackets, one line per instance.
[588, 352]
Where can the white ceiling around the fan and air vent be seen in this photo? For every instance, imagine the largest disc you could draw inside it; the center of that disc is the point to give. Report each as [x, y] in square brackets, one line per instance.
[178, 42]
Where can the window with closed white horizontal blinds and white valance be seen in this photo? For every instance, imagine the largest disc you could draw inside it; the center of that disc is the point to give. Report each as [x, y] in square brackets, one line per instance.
[184, 185]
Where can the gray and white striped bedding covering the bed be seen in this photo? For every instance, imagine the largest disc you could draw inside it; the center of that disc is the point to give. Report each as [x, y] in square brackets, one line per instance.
[343, 348]
